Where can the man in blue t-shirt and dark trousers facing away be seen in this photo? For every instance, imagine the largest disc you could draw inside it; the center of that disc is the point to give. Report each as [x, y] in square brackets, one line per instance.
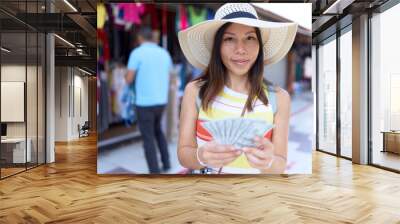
[149, 68]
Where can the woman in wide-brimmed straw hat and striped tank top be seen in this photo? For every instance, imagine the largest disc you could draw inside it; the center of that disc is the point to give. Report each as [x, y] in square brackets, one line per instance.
[232, 50]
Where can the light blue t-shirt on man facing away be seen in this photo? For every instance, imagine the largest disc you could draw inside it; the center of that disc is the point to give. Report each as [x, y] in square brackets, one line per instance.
[152, 64]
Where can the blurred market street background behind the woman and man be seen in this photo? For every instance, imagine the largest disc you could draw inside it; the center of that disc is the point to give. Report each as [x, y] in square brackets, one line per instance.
[120, 149]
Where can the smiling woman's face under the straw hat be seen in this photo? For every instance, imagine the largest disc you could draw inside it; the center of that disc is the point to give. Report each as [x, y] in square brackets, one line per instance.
[239, 49]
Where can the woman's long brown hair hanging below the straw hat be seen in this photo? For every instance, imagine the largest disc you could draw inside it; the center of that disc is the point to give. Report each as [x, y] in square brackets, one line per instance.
[214, 77]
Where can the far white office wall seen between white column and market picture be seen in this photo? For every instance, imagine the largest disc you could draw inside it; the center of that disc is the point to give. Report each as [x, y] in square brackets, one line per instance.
[71, 87]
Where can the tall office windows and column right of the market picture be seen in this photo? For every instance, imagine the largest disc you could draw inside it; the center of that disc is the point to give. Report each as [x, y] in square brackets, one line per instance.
[356, 68]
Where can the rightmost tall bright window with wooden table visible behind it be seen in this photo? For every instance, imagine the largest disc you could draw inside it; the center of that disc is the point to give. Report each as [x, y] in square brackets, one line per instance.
[385, 89]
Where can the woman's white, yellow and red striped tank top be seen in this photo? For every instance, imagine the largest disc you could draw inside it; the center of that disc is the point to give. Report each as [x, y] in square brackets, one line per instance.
[229, 104]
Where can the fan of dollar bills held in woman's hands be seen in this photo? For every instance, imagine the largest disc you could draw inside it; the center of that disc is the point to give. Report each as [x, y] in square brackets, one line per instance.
[239, 132]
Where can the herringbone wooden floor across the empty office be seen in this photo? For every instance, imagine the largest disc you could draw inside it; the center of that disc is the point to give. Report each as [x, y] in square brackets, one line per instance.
[70, 191]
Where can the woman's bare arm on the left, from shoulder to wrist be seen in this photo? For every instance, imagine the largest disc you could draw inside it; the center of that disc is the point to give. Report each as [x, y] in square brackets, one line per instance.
[187, 144]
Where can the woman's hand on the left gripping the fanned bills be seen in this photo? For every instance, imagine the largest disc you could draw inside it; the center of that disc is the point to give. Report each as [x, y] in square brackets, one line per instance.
[216, 155]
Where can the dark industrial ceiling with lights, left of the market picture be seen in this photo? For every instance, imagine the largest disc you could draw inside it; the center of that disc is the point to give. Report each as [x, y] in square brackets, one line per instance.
[76, 25]
